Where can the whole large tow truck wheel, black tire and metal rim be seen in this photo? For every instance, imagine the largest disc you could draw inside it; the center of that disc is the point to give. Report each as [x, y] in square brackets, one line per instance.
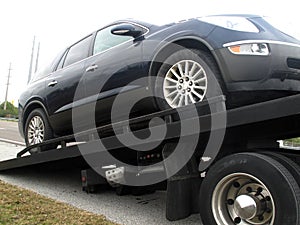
[249, 188]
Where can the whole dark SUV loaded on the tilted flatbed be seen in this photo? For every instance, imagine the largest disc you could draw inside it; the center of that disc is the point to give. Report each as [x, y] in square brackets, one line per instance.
[250, 59]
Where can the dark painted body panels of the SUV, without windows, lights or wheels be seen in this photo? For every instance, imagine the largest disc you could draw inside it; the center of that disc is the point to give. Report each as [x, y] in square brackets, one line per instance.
[133, 60]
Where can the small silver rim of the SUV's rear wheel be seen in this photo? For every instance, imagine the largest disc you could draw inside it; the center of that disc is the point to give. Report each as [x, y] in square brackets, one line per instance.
[36, 130]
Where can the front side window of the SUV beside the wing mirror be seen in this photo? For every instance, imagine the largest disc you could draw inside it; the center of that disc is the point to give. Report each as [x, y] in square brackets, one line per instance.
[105, 40]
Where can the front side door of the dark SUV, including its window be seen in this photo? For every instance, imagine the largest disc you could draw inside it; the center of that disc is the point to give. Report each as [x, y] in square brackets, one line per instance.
[116, 61]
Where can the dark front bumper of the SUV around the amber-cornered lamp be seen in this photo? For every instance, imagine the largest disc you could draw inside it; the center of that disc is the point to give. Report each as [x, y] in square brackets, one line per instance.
[279, 70]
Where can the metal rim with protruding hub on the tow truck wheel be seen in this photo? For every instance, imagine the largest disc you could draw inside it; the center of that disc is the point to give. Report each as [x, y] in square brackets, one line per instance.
[242, 199]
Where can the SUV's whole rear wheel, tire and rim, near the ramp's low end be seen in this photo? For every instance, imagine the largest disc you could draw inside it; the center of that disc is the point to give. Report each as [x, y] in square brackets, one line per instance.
[37, 120]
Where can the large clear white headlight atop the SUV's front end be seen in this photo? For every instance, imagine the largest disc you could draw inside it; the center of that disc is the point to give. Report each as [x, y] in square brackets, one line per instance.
[231, 22]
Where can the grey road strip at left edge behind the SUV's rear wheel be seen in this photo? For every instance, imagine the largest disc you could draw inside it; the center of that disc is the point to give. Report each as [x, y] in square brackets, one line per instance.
[9, 132]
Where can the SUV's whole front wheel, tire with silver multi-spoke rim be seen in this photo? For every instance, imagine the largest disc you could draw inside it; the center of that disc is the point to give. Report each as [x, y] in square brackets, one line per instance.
[192, 88]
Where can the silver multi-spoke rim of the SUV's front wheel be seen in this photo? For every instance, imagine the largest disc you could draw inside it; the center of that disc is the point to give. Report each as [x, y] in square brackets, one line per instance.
[185, 83]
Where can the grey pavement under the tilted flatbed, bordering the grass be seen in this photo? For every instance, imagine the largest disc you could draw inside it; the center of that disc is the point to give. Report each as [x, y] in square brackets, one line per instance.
[65, 186]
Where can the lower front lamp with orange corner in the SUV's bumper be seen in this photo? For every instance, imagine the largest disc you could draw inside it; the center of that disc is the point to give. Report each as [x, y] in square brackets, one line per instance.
[250, 49]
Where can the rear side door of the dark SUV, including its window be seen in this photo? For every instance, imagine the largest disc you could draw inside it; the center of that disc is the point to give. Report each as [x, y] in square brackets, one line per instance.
[63, 83]
